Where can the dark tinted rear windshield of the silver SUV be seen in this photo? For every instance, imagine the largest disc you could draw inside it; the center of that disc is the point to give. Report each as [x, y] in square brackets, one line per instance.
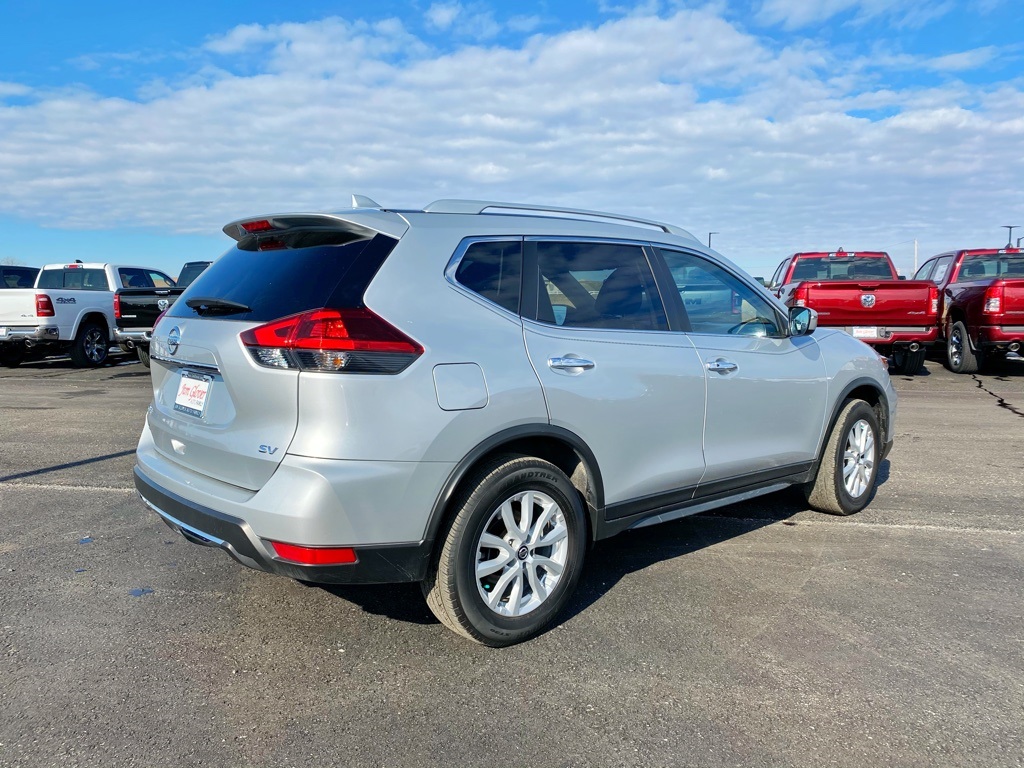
[280, 282]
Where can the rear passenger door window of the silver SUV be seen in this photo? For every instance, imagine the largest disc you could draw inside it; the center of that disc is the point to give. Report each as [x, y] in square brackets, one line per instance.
[598, 285]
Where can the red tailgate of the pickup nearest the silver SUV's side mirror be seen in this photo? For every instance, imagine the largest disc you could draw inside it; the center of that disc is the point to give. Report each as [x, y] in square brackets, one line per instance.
[890, 304]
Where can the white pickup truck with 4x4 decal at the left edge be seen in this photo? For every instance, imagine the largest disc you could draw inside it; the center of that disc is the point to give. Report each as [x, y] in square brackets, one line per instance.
[71, 310]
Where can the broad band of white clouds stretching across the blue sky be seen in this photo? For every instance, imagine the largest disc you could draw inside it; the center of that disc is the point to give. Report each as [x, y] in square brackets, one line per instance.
[685, 118]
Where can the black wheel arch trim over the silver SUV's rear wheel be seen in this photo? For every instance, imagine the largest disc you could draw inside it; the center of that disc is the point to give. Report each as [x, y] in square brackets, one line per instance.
[507, 437]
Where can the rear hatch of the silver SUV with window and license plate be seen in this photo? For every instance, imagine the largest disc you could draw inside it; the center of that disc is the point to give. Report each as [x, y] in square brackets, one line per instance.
[226, 389]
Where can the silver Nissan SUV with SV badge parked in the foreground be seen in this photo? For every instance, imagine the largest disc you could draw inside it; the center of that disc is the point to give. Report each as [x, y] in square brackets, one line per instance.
[468, 396]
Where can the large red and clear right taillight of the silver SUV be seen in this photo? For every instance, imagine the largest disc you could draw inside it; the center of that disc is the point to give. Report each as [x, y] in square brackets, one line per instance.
[355, 342]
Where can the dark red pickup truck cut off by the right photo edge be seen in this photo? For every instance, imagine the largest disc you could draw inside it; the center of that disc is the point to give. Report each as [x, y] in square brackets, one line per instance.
[983, 315]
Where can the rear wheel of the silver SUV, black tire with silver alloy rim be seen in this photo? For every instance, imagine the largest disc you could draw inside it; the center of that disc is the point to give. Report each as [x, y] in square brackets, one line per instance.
[456, 589]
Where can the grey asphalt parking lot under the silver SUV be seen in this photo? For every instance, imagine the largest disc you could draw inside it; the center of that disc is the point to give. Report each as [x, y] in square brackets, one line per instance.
[765, 635]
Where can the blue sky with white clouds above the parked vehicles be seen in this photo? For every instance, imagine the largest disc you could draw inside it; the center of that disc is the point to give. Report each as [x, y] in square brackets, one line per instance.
[783, 125]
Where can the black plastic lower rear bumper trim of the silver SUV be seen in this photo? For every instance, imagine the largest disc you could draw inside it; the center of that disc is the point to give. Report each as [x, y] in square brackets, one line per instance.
[376, 565]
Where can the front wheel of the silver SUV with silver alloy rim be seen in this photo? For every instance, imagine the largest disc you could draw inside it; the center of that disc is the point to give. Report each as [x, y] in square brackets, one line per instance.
[857, 429]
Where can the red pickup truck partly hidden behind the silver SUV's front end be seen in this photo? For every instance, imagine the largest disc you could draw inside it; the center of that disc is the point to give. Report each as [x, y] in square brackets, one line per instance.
[862, 293]
